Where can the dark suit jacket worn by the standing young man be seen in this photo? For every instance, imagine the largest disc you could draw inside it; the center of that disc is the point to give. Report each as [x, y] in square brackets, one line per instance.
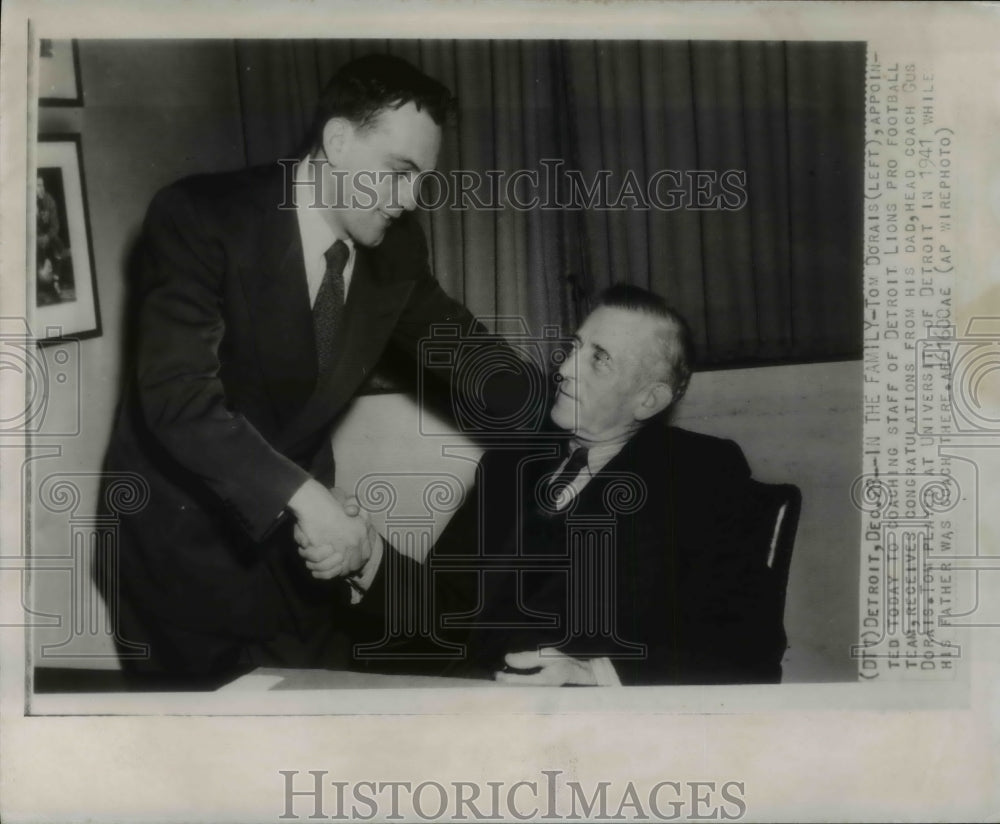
[224, 415]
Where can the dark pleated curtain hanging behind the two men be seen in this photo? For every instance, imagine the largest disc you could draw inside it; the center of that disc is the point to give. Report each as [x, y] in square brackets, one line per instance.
[776, 279]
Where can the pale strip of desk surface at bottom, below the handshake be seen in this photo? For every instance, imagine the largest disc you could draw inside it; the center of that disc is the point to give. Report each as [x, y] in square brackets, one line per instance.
[266, 679]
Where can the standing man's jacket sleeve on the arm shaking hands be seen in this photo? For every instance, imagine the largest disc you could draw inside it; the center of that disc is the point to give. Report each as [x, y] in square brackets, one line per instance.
[183, 401]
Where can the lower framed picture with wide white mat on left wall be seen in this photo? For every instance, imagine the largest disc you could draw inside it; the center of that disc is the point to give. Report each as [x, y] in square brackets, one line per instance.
[62, 293]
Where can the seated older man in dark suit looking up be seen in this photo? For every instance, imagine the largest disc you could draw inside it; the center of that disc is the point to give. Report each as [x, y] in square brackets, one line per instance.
[614, 552]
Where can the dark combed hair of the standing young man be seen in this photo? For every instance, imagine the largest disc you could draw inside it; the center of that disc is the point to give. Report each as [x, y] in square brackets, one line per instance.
[365, 87]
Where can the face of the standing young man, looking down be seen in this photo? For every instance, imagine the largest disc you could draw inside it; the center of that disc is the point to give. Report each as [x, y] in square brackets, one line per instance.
[372, 171]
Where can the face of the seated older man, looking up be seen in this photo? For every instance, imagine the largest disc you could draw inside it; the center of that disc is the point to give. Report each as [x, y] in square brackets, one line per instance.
[603, 381]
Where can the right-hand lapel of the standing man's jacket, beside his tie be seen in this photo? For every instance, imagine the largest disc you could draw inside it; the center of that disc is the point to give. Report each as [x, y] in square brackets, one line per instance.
[374, 302]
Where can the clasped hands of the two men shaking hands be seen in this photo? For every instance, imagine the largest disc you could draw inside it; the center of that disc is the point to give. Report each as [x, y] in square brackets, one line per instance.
[334, 535]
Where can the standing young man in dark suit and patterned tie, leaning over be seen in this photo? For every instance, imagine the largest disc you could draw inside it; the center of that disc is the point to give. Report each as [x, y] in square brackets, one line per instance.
[263, 298]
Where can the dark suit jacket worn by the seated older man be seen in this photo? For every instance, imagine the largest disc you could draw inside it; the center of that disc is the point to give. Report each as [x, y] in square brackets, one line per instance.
[653, 565]
